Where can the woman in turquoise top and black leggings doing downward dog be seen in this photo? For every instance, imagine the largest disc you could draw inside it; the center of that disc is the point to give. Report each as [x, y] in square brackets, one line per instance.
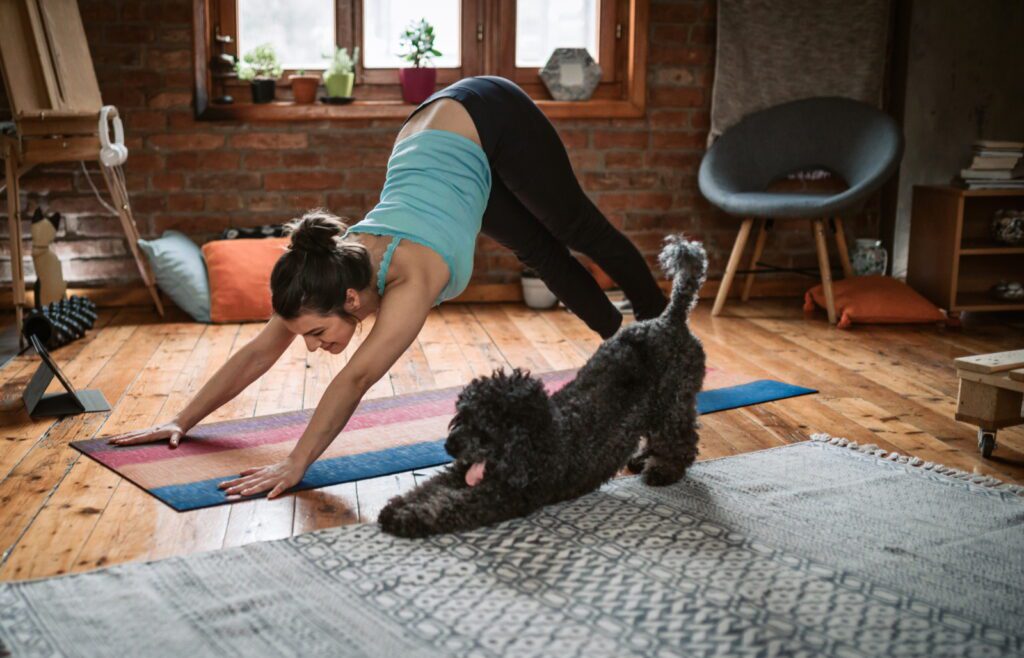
[477, 156]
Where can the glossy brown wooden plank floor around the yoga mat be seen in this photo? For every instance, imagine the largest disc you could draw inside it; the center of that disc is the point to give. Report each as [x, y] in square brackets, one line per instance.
[62, 513]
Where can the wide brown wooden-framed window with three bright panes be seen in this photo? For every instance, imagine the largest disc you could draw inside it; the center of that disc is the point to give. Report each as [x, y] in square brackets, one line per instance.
[510, 38]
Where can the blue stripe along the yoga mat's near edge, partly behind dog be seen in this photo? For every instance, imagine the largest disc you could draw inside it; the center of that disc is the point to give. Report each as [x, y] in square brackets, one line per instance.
[421, 456]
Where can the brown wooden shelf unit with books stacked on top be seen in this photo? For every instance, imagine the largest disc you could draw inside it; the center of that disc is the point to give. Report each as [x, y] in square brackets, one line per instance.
[954, 260]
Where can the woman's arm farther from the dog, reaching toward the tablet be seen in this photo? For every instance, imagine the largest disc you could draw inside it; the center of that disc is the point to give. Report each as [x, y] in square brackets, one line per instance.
[244, 368]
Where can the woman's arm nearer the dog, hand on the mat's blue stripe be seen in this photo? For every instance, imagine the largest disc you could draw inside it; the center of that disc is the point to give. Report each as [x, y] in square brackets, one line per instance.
[402, 315]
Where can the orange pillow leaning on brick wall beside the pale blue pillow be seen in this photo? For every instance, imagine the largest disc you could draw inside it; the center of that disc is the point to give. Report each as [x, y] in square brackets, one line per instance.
[240, 278]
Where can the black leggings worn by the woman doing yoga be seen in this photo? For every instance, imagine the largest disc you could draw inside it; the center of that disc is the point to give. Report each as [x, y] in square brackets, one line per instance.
[538, 210]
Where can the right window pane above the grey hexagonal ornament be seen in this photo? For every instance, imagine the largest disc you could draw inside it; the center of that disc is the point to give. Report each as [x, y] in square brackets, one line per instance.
[542, 26]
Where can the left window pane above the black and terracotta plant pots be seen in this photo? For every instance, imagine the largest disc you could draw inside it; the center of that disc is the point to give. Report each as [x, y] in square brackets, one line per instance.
[301, 31]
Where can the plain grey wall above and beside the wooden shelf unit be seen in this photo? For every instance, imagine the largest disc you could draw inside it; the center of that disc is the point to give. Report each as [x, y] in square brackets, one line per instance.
[965, 82]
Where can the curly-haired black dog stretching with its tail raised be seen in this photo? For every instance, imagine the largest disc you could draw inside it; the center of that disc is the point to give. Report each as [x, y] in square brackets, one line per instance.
[642, 384]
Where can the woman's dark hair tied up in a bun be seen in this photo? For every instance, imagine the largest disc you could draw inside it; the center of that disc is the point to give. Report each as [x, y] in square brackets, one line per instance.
[318, 269]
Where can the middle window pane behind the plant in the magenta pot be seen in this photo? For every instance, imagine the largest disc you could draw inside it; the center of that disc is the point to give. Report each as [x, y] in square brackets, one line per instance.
[385, 21]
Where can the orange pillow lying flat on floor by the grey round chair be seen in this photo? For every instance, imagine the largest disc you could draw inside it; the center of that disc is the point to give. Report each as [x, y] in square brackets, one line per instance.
[875, 299]
